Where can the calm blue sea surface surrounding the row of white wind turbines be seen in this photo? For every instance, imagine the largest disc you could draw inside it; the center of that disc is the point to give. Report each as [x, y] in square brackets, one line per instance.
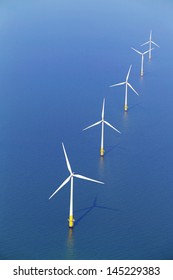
[57, 61]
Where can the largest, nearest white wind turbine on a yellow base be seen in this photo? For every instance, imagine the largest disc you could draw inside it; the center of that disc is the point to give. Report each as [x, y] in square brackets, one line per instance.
[70, 178]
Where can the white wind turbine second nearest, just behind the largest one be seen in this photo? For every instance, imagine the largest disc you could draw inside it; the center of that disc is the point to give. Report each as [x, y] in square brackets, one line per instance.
[102, 132]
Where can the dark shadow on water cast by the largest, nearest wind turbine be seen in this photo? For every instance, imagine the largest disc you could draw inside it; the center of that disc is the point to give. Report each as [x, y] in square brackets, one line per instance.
[89, 209]
